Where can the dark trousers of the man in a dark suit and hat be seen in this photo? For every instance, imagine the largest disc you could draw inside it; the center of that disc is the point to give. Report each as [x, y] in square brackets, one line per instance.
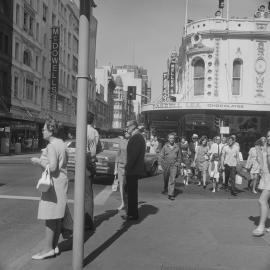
[132, 191]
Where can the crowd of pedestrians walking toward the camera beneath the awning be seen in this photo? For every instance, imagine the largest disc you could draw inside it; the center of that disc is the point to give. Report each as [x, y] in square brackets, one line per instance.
[216, 160]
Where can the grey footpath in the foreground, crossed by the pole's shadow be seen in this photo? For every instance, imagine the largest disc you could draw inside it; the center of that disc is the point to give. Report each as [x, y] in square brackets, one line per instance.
[201, 234]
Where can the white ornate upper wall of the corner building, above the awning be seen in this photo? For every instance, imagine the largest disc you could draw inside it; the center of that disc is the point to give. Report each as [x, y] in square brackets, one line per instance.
[245, 41]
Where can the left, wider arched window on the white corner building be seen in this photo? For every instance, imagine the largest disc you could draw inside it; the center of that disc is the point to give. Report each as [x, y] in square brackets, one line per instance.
[198, 77]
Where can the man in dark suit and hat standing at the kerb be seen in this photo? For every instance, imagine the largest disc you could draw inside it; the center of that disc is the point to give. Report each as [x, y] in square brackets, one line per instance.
[134, 168]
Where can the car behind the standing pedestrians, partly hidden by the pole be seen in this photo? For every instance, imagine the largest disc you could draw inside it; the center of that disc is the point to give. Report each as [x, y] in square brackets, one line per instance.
[106, 159]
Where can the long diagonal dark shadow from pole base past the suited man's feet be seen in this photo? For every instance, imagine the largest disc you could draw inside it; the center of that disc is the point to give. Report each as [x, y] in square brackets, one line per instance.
[144, 211]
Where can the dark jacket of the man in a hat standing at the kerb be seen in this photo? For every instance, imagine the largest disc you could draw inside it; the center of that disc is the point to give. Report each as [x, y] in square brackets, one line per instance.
[135, 155]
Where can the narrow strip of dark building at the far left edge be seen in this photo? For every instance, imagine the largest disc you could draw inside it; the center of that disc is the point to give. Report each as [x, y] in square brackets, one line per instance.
[6, 29]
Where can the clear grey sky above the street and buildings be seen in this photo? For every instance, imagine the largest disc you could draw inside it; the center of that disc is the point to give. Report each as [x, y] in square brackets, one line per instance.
[145, 32]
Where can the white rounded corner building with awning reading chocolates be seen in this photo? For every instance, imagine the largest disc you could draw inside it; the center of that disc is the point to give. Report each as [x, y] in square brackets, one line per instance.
[221, 75]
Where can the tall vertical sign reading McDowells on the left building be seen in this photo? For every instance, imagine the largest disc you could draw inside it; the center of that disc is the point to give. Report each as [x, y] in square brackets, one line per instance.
[55, 43]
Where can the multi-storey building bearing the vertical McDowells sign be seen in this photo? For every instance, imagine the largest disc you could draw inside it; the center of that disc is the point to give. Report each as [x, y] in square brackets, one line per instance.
[31, 89]
